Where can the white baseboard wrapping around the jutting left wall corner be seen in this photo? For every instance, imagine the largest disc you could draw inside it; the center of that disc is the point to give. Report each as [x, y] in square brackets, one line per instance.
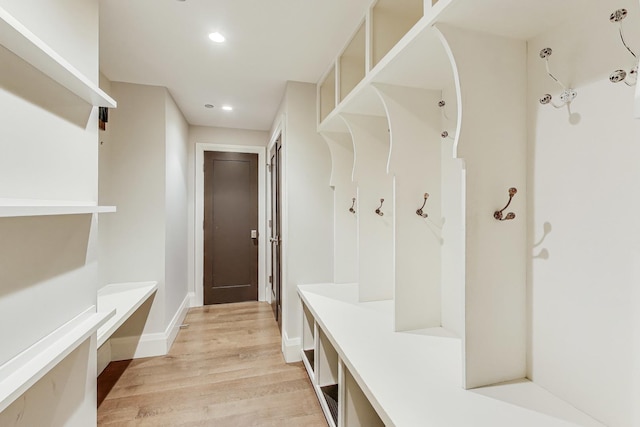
[149, 345]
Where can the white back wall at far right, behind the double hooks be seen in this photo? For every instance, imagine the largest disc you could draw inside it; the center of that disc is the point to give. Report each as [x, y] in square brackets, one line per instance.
[582, 178]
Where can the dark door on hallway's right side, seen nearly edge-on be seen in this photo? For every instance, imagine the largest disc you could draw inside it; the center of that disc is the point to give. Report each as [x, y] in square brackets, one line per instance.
[276, 251]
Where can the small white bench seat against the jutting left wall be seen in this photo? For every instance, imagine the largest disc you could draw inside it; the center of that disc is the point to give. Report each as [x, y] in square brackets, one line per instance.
[124, 299]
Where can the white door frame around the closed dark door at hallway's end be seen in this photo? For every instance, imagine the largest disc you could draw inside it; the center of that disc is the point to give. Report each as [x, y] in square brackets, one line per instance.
[199, 215]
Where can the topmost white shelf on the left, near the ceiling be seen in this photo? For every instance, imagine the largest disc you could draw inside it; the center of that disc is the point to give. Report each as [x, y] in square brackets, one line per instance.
[19, 40]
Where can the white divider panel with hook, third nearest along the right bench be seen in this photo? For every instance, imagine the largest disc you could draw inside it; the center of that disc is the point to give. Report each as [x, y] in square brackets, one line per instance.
[375, 233]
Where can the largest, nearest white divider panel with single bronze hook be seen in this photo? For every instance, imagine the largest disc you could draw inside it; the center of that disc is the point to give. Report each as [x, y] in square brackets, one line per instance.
[491, 85]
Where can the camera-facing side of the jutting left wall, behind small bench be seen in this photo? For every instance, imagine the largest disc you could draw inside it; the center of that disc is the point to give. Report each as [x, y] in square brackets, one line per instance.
[134, 238]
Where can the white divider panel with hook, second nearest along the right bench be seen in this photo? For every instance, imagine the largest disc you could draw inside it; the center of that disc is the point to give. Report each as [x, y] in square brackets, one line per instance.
[415, 124]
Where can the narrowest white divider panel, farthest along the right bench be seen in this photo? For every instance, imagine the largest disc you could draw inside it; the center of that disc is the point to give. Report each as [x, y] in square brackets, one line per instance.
[345, 249]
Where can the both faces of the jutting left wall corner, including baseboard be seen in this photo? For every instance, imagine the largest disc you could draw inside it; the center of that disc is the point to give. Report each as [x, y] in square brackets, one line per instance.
[144, 169]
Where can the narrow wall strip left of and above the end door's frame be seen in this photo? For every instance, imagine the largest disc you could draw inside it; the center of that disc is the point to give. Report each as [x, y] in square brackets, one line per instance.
[210, 135]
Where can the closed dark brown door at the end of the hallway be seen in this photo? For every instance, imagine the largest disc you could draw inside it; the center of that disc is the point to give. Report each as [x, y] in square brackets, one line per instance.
[230, 227]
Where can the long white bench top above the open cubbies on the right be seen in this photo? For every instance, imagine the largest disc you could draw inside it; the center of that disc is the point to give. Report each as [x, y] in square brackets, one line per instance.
[415, 378]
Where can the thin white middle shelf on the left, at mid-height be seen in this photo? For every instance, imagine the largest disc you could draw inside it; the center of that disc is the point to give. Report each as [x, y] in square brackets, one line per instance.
[34, 207]
